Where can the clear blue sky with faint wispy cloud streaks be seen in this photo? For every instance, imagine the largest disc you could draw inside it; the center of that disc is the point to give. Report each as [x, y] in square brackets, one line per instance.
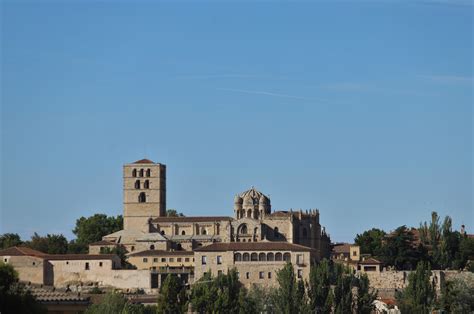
[361, 109]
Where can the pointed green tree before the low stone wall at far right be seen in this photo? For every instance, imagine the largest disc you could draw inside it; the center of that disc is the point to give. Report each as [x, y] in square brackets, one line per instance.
[419, 295]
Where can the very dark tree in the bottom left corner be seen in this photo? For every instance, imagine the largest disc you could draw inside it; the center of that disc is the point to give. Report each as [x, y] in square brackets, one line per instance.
[14, 298]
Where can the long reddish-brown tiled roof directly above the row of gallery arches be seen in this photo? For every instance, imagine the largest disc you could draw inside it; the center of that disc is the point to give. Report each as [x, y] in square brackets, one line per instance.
[253, 246]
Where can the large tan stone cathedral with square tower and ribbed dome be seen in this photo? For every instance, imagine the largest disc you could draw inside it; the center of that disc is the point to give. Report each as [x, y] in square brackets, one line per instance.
[256, 240]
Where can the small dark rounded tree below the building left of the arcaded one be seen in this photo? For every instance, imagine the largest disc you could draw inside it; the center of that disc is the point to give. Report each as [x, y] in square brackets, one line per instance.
[172, 298]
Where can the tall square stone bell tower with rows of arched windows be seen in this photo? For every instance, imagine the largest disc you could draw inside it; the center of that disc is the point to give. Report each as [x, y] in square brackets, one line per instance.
[144, 193]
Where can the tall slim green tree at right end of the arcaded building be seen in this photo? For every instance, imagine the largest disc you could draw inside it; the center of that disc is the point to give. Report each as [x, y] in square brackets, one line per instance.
[319, 287]
